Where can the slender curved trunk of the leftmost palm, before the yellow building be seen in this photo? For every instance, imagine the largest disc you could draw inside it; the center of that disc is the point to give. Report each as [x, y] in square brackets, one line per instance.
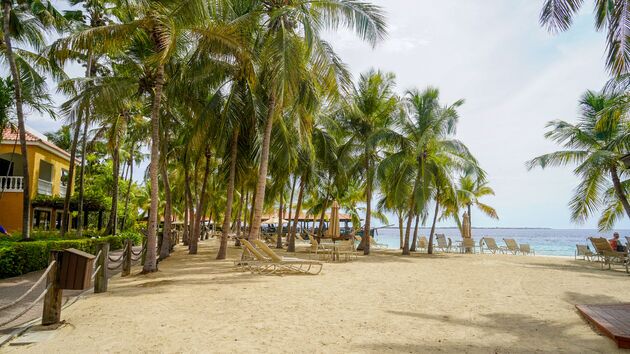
[17, 90]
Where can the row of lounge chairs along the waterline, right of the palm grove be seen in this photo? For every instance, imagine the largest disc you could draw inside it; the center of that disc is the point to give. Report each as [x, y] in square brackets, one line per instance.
[467, 245]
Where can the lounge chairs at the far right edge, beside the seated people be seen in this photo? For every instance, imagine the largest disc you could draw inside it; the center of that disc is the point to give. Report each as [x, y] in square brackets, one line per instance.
[604, 253]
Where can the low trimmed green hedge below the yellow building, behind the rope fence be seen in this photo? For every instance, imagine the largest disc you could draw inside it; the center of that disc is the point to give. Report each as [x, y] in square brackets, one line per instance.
[23, 257]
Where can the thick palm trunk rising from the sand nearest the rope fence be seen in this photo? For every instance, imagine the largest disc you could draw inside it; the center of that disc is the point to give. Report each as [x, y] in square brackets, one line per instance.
[150, 264]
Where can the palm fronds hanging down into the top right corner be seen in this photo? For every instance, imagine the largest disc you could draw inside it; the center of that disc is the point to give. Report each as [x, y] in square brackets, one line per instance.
[557, 15]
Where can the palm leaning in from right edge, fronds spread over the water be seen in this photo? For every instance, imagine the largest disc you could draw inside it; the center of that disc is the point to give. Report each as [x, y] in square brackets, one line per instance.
[595, 144]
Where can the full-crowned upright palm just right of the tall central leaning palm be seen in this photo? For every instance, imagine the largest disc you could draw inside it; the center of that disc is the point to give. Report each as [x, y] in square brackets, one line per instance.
[367, 117]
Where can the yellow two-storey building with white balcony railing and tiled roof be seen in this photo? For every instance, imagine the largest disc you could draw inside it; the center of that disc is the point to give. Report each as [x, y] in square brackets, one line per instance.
[48, 168]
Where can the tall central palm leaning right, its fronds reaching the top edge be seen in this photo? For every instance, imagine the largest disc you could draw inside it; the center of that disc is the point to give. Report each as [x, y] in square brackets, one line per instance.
[293, 58]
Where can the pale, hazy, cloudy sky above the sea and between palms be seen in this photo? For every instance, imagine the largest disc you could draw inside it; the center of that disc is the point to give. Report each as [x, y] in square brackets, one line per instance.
[514, 76]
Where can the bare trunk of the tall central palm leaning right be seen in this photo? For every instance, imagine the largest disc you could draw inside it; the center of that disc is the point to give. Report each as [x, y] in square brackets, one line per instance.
[262, 172]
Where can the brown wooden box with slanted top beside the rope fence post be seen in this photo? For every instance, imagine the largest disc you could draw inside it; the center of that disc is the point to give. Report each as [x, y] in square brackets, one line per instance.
[76, 270]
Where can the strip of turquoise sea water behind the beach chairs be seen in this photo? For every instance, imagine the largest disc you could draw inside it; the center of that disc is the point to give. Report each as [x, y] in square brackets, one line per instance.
[550, 242]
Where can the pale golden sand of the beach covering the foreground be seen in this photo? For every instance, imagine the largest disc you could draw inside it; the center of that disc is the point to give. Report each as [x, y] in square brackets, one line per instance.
[381, 303]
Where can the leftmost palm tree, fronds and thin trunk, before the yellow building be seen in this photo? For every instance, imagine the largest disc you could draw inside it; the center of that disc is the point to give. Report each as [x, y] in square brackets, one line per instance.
[25, 23]
